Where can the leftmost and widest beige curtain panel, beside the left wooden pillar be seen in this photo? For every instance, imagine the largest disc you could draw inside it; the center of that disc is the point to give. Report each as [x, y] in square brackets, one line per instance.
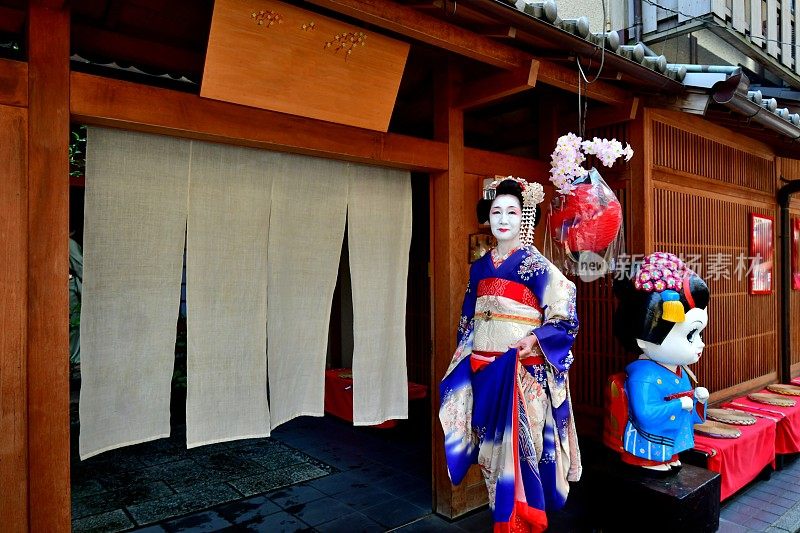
[135, 219]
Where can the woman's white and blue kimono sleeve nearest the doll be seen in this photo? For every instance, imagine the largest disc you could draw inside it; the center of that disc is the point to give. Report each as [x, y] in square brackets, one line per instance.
[559, 326]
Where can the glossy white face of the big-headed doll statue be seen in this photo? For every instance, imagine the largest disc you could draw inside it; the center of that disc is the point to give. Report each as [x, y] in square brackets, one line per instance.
[683, 345]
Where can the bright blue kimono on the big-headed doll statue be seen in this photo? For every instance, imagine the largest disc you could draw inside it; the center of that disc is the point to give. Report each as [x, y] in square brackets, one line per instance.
[658, 427]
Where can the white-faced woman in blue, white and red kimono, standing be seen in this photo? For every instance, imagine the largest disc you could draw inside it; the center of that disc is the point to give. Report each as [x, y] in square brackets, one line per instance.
[505, 401]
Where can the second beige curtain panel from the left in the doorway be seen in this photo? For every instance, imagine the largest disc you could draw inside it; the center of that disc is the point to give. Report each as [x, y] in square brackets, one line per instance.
[226, 293]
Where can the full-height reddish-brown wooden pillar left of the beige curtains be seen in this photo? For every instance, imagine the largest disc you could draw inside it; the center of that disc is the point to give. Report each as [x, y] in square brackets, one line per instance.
[48, 268]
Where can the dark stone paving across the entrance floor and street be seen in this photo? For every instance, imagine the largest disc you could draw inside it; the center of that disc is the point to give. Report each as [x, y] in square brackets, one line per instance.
[321, 474]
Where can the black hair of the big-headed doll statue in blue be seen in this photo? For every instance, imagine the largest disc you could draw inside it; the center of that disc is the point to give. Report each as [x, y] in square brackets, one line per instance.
[638, 314]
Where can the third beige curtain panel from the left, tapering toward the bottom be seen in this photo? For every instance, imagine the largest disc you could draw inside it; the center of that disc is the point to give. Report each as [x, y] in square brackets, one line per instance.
[309, 205]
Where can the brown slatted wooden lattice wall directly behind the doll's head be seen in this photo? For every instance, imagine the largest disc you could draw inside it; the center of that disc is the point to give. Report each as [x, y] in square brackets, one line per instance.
[741, 337]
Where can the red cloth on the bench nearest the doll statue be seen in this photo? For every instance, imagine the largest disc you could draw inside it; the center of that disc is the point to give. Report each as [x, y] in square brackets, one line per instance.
[739, 461]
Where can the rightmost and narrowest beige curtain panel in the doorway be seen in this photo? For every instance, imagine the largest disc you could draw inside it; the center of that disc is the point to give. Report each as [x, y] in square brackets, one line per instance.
[379, 237]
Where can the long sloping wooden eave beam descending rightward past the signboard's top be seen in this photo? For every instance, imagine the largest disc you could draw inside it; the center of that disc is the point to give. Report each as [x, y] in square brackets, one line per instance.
[431, 30]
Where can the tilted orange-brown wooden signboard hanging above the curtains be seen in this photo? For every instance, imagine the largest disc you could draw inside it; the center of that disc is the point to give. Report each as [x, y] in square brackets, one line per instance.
[272, 55]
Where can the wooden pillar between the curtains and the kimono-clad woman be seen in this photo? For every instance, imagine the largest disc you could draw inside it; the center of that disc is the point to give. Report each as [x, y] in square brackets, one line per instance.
[450, 271]
